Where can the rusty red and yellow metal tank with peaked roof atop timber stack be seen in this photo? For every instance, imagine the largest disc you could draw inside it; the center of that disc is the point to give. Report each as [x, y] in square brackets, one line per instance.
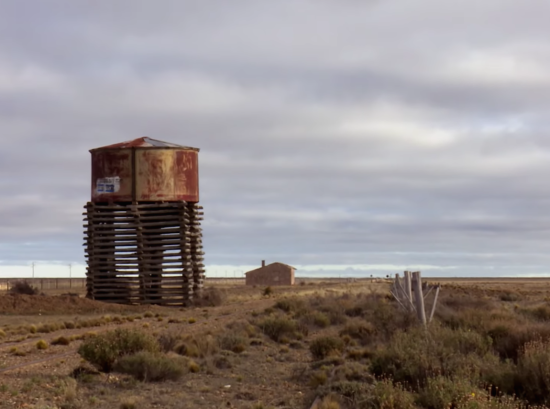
[145, 170]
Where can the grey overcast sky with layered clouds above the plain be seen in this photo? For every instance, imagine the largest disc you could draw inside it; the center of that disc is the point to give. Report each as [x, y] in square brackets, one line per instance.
[376, 134]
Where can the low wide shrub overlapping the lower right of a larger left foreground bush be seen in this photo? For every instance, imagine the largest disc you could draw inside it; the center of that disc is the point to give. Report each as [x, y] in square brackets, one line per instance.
[151, 367]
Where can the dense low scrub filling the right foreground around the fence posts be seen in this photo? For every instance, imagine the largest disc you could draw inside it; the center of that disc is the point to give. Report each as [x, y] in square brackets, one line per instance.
[481, 351]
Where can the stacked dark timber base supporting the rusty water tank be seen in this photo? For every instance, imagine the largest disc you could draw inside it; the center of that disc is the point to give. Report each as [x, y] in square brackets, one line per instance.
[144, 253]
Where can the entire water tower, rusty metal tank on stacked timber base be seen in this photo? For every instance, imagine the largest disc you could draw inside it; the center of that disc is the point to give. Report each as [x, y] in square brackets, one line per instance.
[143, 235]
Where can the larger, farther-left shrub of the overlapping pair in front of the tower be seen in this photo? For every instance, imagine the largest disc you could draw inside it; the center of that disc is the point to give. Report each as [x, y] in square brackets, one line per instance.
[105, 349]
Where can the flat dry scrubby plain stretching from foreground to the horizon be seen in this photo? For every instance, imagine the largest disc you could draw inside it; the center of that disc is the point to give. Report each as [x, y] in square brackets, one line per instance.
[324, 344]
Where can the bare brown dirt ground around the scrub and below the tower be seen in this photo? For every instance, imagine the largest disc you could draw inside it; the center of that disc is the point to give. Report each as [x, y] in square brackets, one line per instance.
[259, 377]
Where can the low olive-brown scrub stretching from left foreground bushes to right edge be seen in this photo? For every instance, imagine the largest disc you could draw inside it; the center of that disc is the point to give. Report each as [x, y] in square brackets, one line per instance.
[362, 351]
